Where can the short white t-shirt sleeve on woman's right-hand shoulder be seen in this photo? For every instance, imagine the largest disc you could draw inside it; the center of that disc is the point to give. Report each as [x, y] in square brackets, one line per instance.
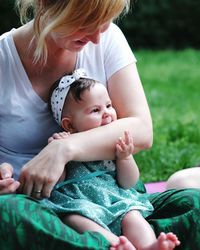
[117, 52]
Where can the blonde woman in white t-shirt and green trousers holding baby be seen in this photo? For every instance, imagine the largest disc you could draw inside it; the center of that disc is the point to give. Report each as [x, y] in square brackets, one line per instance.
[63, 36]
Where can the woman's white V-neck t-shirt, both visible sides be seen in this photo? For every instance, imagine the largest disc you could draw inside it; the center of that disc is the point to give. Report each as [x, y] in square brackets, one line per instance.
[25, 120]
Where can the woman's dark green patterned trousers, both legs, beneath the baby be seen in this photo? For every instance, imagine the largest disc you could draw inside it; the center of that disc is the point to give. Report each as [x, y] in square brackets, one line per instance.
[25, 224]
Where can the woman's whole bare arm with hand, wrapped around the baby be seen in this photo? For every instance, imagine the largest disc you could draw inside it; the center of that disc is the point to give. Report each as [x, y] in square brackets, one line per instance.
[128, 98]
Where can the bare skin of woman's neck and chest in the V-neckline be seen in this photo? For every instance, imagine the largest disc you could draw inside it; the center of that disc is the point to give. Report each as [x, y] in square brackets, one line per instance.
[59, 62]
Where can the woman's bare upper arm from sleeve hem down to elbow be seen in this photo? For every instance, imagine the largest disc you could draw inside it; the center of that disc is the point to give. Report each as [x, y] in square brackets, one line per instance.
[128, 98]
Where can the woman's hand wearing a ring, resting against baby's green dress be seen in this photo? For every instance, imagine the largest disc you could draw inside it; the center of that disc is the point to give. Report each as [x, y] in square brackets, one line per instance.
[39, 176]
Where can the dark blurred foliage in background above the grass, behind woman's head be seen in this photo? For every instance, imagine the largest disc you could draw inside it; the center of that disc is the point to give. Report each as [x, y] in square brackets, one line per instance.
[150, 24]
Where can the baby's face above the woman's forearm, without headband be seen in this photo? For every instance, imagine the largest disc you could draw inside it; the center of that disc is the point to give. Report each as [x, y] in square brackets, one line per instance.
[94, 110]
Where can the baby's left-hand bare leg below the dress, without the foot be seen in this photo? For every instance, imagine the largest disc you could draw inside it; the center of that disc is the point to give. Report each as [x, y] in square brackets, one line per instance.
[82, 224]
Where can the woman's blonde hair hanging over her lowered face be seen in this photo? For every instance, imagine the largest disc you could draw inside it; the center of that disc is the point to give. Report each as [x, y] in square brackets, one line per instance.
[67, 17]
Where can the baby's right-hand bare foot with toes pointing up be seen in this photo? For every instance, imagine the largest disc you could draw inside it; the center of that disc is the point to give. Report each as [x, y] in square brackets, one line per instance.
[167, 241]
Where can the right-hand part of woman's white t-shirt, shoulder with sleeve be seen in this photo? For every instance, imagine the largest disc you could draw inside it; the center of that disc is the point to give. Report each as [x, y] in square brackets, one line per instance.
[103, 59]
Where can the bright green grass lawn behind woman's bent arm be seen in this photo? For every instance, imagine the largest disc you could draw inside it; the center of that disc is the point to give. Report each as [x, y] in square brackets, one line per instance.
[171, 81]
